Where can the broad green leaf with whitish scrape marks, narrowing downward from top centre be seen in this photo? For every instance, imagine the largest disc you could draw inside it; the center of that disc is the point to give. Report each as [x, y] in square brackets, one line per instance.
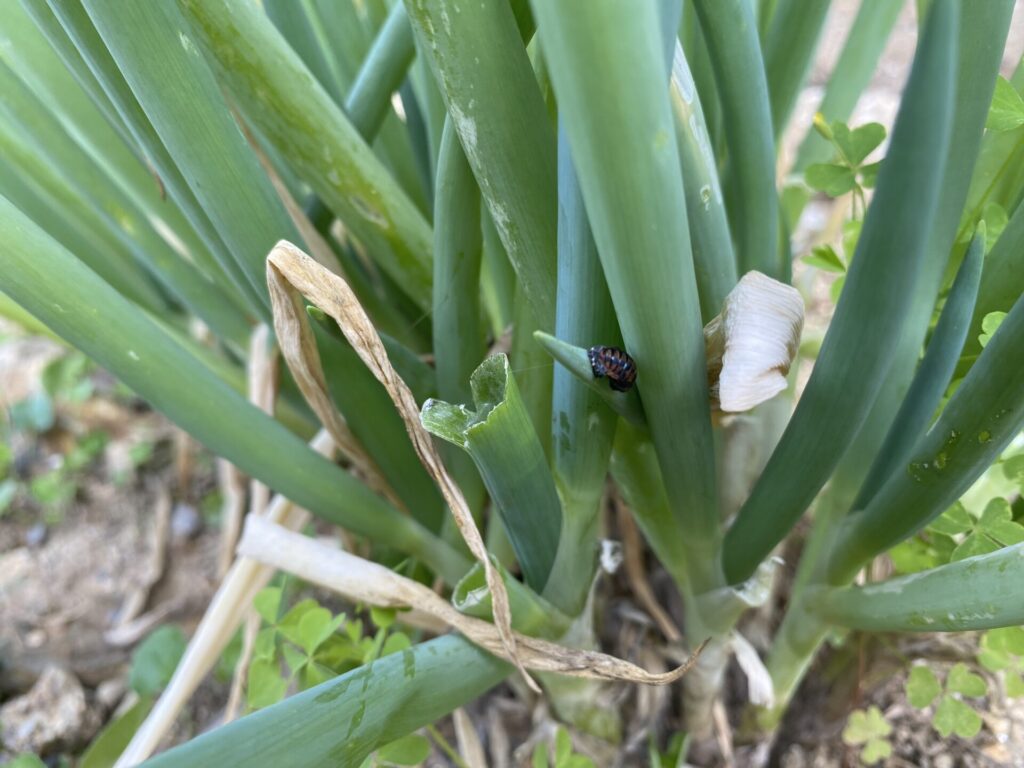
[488, 83]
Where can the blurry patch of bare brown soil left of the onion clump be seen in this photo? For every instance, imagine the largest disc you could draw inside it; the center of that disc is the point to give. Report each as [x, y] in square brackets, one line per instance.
[68, 579]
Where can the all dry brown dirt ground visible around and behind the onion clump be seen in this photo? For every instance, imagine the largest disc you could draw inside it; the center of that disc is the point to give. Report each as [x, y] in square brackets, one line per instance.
[77, 595]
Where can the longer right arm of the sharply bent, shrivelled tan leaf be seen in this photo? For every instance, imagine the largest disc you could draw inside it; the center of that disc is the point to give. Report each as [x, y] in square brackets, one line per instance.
[332, 294]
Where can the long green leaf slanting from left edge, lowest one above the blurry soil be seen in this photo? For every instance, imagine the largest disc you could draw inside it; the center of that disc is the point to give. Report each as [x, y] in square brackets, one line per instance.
[49, 282]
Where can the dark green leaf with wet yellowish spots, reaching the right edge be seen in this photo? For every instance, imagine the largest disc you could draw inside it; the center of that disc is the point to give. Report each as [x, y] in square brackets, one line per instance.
[984, 416]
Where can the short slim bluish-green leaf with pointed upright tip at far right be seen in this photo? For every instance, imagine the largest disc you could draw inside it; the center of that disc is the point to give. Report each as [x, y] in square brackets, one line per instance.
[933, 374]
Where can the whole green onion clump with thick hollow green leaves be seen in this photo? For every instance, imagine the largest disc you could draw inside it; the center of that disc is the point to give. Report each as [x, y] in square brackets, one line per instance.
[504, 186]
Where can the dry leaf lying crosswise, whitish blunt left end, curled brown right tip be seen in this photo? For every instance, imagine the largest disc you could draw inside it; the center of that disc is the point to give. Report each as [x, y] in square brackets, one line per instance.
[367, 582]
